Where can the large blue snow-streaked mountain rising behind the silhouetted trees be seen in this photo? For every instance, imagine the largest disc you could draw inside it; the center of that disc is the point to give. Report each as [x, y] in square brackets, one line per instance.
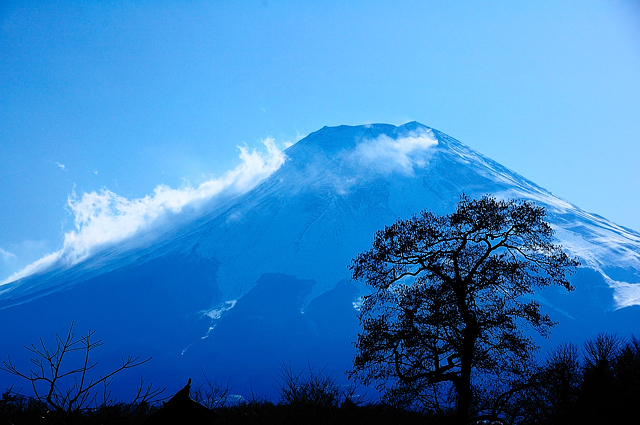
[262, 279]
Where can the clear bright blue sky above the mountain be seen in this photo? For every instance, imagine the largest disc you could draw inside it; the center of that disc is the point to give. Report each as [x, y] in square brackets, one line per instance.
[125, 96]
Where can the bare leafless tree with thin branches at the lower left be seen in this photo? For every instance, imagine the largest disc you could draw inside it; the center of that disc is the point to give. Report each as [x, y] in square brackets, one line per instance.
[61, 377]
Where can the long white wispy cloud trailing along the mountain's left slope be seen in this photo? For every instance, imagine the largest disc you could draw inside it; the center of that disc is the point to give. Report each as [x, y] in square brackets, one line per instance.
[104, 218]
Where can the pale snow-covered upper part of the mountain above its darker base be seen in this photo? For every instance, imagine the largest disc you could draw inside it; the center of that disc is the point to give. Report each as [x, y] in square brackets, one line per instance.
[341, 184]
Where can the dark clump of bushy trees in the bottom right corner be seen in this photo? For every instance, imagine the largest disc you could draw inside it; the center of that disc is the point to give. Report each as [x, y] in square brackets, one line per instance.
[597, 384]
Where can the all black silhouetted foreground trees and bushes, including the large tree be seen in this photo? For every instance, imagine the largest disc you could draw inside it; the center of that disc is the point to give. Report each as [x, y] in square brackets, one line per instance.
[446, 338]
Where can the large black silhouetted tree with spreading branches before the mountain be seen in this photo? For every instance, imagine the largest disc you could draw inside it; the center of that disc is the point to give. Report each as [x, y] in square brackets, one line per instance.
[450, 300]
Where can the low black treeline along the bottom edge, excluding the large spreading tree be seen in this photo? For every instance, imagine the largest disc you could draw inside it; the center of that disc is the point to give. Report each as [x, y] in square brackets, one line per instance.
[595, 383]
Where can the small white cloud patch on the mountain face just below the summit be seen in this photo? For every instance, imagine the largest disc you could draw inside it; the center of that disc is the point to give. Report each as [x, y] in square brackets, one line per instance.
[403, 155]
